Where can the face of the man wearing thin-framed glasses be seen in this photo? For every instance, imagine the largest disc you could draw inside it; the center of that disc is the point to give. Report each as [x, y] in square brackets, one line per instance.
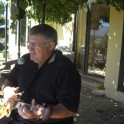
[39, 49]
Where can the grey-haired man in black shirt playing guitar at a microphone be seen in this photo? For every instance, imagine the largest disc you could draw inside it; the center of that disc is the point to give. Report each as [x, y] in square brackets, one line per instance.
[48, 79]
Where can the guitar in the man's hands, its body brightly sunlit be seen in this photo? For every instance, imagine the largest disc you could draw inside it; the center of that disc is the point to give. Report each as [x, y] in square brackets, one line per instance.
[6, 108]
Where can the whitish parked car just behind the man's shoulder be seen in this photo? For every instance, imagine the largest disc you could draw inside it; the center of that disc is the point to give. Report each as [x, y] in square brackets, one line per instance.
[67, 52]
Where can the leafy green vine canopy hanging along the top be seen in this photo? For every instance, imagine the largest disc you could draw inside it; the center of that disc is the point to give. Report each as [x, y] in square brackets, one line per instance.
[58, 11]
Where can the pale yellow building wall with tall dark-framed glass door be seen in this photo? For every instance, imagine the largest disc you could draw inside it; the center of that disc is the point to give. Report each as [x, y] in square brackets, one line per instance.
[90, 42]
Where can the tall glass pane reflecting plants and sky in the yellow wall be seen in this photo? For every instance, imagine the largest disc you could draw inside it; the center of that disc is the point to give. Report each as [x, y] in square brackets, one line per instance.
[98, 39]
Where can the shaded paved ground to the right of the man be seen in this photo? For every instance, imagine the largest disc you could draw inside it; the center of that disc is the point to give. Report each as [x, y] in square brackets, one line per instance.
[95, 109]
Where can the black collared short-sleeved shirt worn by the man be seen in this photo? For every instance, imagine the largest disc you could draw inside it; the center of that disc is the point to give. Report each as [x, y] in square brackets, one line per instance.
[57, 81]
